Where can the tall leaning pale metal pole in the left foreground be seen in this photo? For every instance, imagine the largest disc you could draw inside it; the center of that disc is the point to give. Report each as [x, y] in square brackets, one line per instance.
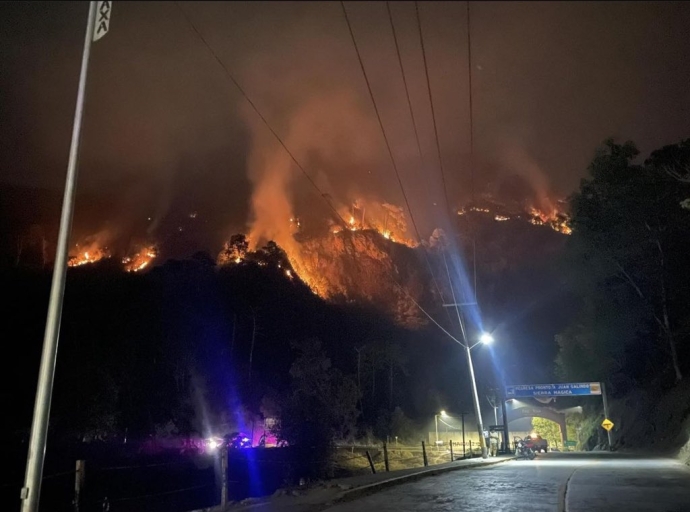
[31, 491]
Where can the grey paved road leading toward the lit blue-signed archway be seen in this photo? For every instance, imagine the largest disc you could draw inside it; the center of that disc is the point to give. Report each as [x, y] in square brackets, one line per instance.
[553, 482]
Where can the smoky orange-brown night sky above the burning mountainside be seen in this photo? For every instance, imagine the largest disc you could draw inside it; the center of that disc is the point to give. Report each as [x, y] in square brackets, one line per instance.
[165, 131]
